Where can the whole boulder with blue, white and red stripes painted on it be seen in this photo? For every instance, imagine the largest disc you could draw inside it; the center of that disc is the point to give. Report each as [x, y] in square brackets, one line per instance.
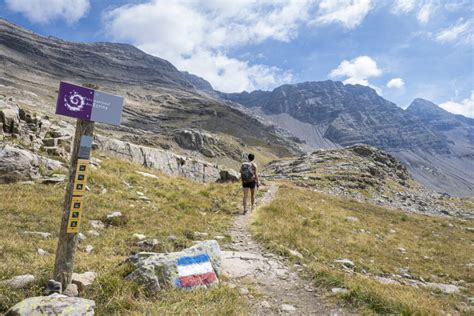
[197, 266]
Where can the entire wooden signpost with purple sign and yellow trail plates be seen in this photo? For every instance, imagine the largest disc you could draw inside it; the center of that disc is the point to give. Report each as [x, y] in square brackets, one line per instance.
[88, 106]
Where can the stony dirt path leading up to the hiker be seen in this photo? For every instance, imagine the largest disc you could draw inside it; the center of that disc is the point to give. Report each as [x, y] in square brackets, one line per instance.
[280, 289]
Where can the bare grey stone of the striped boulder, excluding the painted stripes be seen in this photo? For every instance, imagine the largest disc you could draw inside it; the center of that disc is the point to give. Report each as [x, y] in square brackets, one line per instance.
[157, 270]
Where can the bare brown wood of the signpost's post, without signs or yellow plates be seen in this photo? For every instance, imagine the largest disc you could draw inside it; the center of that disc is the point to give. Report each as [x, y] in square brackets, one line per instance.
[67, 242]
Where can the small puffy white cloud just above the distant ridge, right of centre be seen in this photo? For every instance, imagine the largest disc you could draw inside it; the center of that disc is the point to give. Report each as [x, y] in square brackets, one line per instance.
[357, 71]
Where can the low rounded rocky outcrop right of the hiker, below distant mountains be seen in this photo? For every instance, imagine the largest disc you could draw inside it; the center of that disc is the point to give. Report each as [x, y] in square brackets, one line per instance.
[366, 174]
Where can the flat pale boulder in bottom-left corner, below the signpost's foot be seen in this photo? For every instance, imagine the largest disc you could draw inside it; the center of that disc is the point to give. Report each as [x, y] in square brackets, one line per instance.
[55, 304]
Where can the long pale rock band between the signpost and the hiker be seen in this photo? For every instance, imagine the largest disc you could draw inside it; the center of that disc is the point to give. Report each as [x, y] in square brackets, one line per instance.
[165, 161]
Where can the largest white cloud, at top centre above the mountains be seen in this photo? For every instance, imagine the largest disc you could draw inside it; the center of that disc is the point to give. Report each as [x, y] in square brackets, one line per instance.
[197, 35]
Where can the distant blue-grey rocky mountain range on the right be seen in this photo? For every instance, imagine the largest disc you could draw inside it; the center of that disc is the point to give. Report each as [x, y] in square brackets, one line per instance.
[330, 114]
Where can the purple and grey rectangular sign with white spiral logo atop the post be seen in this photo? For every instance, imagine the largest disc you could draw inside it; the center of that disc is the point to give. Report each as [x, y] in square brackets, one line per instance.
[88, 104]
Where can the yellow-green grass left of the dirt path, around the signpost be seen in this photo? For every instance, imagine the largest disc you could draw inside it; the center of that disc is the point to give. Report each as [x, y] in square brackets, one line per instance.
[178, 207]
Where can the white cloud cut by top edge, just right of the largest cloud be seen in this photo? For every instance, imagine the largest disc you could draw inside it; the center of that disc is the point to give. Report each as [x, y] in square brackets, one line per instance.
[349, 13]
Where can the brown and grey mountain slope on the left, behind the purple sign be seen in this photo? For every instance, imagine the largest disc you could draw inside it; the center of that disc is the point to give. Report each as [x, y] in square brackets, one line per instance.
[161, 102]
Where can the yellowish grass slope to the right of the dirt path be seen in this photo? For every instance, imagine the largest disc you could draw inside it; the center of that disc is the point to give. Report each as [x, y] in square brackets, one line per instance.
[437, 250]
